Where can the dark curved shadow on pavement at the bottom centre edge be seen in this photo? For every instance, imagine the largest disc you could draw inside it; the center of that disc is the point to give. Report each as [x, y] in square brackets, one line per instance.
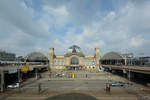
[72, 96]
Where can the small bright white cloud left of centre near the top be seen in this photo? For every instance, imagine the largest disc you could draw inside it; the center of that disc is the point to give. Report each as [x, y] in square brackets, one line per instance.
[58, 17]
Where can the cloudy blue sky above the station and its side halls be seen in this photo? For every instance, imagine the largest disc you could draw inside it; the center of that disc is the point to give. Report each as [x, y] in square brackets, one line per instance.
[111, 25]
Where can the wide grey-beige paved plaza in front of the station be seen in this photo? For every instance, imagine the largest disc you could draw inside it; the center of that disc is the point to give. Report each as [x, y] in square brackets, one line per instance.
[78, 88]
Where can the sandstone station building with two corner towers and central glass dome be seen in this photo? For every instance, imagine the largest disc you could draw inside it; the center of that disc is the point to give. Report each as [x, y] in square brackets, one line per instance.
[74, 59]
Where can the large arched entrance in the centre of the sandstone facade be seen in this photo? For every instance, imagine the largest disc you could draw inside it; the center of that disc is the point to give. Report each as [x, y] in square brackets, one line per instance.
[74, 63]
